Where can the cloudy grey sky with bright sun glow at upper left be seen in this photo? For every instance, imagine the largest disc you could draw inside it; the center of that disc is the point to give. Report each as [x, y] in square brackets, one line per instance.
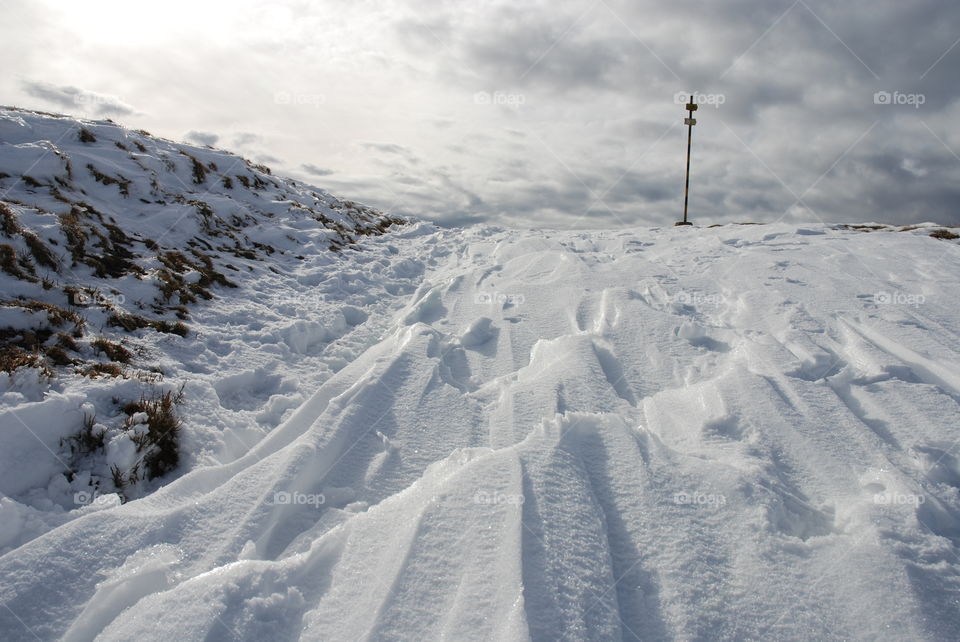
[557, 114]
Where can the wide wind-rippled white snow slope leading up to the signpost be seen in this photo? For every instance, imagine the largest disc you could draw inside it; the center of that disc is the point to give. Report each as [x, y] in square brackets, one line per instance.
[744, 432]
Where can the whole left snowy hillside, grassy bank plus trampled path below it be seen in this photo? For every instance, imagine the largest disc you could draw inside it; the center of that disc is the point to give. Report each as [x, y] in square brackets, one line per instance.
[133, 268]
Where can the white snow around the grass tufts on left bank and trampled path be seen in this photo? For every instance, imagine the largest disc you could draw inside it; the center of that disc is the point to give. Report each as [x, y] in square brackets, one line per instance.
[249, 359]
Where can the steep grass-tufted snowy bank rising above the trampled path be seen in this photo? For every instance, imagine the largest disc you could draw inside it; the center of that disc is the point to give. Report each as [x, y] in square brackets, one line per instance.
[135, 225]
